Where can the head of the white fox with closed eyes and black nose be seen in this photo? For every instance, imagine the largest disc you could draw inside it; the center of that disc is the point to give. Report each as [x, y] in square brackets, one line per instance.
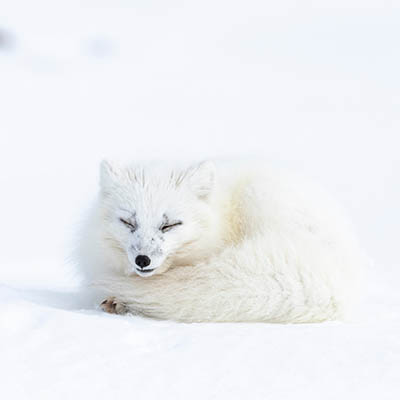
[156, 217]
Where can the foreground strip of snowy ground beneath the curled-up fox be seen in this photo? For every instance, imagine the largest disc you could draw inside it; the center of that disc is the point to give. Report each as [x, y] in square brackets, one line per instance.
[58, 350]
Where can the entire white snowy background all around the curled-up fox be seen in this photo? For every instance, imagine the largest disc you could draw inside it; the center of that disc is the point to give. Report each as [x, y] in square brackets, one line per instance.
[313, 85]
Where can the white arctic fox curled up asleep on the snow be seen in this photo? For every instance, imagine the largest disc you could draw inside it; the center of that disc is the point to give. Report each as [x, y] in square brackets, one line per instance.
[218, 242]
